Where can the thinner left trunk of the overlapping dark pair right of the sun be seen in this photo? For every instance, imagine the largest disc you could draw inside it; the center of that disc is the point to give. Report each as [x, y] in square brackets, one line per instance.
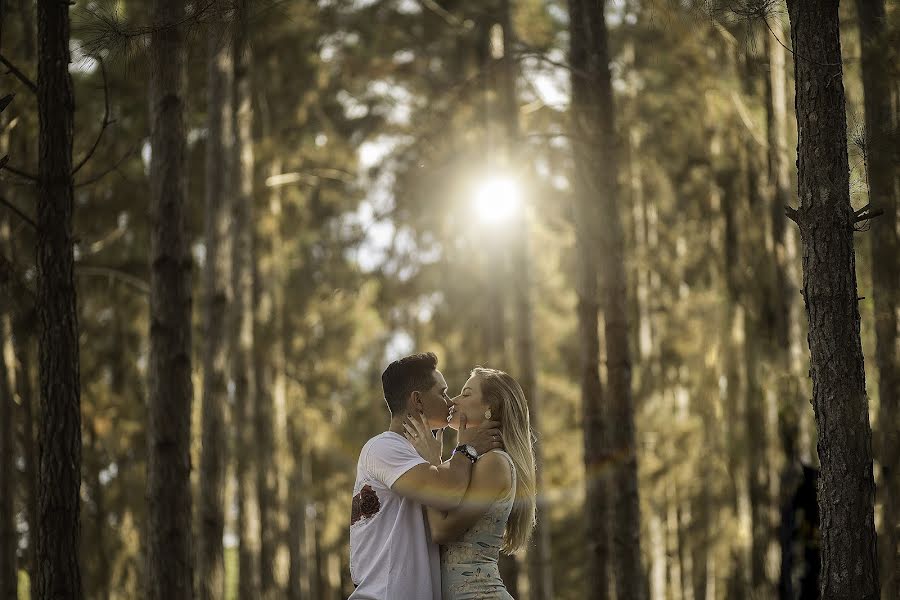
[586, 122]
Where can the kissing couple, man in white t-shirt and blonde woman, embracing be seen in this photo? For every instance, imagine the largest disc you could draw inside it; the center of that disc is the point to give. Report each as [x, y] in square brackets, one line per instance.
[426, 529]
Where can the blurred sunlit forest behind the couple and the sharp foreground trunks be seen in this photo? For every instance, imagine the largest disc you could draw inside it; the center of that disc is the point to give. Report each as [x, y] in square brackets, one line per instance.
[362, 179]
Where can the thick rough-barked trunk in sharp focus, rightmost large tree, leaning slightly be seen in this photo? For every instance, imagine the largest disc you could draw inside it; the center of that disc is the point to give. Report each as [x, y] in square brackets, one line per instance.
[825, 217]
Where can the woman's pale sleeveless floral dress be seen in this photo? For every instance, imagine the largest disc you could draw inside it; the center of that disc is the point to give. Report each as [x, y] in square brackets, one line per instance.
[469, 566]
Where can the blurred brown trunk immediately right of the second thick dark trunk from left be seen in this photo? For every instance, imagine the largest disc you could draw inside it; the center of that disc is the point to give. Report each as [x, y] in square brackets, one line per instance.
[217, 293]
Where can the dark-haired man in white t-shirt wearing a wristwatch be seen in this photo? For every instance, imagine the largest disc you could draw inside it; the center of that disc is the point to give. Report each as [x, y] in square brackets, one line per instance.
[392, 556]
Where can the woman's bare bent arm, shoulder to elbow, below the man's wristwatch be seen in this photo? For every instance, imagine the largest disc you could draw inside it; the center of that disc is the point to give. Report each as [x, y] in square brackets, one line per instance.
[491, 478]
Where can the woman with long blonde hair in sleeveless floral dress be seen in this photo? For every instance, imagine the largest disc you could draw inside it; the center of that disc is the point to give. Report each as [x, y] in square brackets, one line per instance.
[498, 510]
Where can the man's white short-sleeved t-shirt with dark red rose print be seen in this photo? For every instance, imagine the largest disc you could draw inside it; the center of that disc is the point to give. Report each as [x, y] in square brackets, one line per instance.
[392, 556]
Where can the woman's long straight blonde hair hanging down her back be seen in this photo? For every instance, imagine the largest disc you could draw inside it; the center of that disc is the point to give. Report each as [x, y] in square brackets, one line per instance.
[507, 402]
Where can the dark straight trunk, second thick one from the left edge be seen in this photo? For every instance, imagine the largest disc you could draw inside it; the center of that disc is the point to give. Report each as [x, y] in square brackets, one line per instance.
[169, 549]
